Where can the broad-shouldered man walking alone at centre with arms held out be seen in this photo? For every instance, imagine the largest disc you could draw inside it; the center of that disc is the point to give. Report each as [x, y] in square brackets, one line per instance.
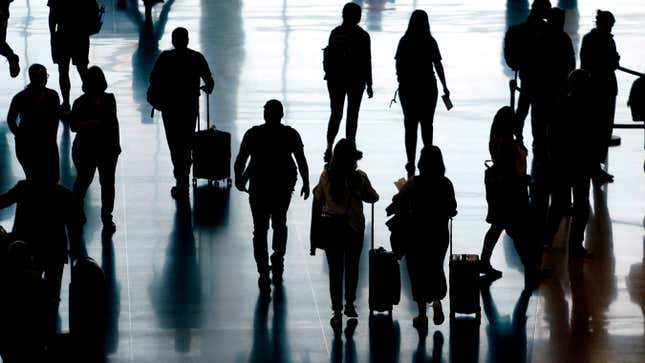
[272, 174]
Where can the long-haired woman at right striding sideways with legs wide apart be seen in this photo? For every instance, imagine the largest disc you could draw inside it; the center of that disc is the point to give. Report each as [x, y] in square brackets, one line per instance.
[507, 197]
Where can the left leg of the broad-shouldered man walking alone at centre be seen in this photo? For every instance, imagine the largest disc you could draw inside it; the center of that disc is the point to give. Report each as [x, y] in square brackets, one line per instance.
[260, 214]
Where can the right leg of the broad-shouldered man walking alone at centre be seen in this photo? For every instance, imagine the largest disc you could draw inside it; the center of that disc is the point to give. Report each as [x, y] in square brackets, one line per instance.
[279, 208]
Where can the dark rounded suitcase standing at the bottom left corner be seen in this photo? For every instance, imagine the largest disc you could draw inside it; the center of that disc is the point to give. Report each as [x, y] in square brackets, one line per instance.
[88, 306]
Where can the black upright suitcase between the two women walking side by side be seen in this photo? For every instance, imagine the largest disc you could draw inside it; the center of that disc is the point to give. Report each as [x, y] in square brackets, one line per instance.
[385, 278]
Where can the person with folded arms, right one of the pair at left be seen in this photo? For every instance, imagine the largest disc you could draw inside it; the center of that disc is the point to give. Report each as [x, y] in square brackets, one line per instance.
[96, 146]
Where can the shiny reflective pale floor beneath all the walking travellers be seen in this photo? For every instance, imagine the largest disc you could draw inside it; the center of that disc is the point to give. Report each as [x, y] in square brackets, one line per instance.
[183, 286]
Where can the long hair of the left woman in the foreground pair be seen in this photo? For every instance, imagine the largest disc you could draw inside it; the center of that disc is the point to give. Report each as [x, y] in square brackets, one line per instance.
[341, 168]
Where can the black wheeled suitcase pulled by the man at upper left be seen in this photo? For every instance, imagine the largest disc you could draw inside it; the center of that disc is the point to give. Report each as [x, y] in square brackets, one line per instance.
[211, 151]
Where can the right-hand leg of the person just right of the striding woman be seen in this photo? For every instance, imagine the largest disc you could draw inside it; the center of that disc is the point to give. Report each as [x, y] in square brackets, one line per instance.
[581, 210]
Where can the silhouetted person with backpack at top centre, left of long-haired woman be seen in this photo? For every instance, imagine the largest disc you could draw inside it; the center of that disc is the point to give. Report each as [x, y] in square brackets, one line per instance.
[348, 70]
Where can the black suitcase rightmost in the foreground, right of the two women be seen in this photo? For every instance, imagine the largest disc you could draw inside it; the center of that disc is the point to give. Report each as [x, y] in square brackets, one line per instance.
[464, 283]
